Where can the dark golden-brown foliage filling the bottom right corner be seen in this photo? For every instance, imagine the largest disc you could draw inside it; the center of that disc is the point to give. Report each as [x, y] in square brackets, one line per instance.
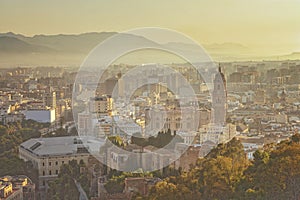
[274, 174]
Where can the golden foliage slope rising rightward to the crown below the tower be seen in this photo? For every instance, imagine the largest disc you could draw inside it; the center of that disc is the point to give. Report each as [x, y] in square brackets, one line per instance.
[215, 177]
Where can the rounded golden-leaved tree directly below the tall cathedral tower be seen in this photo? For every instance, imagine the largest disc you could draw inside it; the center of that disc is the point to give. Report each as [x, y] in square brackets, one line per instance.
[221, 171]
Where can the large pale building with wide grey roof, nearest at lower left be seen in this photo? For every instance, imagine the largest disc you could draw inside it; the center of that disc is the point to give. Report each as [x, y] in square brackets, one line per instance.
[49, 154]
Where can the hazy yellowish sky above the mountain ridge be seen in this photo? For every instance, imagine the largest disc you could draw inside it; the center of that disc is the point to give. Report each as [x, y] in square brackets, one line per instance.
[250, 22]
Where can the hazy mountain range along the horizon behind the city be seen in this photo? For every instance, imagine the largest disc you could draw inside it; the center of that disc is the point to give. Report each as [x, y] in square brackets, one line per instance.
[61, 49]
